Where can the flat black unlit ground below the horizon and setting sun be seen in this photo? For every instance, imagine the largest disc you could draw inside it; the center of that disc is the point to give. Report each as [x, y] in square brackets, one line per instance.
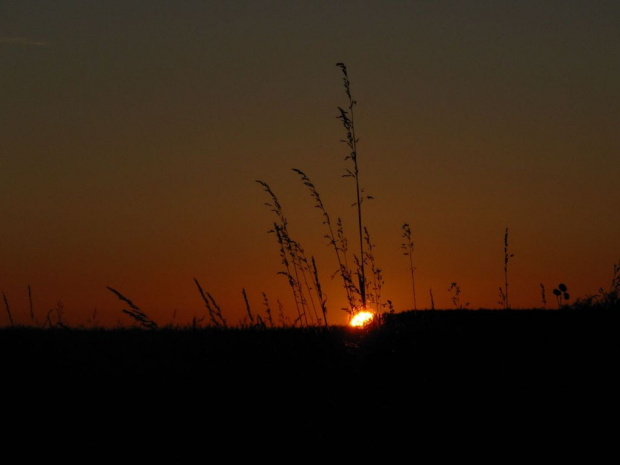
[444, 382]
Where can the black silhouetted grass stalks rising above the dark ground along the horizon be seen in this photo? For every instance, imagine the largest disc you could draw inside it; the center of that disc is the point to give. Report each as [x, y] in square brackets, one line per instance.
[302, 274]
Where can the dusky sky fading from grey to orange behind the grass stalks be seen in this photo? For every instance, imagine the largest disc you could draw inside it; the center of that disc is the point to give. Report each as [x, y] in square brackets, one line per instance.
[132, 134]
